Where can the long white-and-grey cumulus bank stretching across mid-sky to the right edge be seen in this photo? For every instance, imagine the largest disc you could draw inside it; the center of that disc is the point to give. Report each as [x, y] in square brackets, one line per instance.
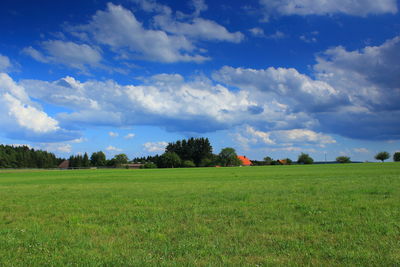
[349, 90]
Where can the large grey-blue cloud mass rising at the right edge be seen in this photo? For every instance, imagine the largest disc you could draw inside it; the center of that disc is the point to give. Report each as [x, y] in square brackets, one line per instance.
[370, 77]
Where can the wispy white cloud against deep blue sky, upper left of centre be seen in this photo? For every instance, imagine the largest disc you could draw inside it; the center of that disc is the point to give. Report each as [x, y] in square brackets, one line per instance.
[118, 28]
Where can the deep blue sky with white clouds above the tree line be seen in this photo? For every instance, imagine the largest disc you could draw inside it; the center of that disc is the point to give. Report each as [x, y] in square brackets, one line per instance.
[266, 77]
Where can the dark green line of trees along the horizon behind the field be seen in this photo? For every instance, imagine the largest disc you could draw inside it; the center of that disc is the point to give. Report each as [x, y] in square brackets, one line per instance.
[193, 152]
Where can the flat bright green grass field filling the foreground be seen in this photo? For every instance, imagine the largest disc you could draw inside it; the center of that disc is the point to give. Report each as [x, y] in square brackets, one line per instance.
[321, 215]
